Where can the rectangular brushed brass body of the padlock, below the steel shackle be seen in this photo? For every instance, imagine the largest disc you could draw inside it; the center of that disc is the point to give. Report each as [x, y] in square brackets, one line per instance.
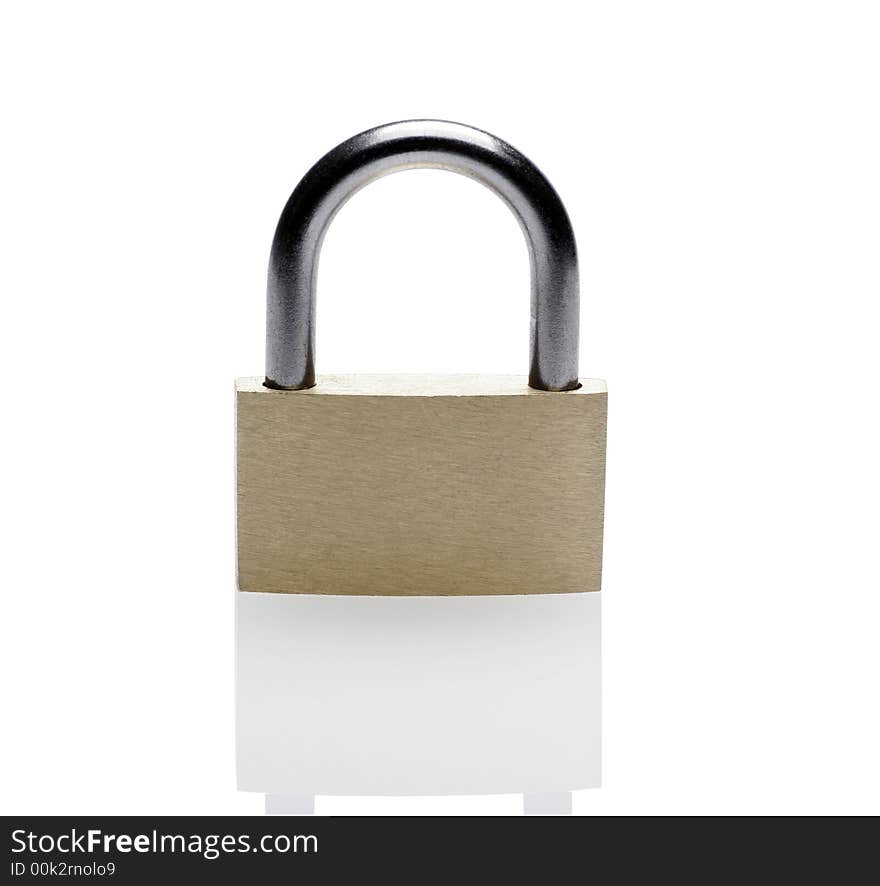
[420, 485]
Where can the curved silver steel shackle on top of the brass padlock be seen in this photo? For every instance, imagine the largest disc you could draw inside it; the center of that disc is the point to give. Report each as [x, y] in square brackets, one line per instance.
[293, 265]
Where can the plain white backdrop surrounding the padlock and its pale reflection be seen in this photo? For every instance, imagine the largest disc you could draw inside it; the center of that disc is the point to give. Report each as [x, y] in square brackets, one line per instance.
[720, 165]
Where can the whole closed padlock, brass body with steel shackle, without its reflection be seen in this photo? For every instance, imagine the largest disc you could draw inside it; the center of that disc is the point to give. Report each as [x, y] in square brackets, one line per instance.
[421, 485]
